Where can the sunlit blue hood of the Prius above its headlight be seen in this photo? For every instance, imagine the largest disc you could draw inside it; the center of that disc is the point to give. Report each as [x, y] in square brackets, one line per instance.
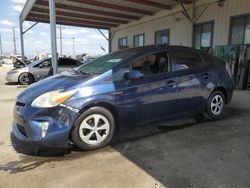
[63, 81]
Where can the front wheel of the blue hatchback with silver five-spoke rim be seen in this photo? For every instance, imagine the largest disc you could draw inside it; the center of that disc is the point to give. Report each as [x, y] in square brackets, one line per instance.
[93, 129]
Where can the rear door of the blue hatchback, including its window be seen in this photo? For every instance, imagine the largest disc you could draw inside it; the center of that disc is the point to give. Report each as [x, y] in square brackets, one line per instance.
[192, 77]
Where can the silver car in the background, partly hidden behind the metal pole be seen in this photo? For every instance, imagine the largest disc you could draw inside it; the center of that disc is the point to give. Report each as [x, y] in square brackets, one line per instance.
[29, 73]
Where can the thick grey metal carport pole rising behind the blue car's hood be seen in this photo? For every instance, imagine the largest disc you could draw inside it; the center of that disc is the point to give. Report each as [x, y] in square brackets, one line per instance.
[52, 14]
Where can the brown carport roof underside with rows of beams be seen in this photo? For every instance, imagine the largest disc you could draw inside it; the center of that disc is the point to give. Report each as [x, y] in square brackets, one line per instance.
[95, 13]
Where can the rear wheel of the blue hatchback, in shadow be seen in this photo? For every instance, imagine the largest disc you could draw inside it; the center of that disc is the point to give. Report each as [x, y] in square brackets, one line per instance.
[215, 106]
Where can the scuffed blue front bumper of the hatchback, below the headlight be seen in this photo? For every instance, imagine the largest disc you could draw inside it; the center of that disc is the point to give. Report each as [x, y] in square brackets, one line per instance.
[26, 128]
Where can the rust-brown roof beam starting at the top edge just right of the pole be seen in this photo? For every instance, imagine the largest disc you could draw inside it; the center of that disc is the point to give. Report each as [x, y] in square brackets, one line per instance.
[113, 6]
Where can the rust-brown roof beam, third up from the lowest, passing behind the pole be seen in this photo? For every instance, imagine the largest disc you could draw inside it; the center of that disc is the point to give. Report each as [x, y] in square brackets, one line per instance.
[78, 15]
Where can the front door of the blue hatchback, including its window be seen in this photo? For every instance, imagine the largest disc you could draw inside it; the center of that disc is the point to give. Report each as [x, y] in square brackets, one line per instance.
[155, 95]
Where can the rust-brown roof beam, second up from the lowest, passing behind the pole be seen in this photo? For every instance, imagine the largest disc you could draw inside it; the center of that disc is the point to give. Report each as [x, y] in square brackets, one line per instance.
[73, 20]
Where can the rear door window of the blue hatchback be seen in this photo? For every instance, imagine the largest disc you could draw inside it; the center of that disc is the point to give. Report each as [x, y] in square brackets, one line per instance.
[185, 59]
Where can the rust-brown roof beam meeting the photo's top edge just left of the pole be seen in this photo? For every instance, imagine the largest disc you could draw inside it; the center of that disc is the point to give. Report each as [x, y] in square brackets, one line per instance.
[45, 4]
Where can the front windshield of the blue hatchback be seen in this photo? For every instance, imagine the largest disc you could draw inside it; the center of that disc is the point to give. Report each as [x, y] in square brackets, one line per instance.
[105, 63]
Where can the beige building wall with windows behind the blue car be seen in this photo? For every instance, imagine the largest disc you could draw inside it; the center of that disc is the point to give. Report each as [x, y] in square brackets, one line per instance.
[181, 29]
